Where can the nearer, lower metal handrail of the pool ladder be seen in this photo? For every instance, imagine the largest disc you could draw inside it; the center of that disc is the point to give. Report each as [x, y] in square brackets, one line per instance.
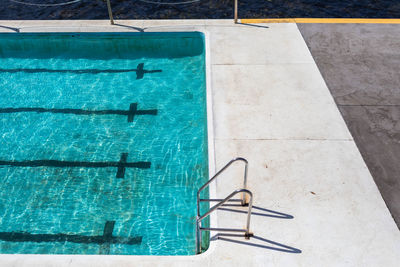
[199, 218]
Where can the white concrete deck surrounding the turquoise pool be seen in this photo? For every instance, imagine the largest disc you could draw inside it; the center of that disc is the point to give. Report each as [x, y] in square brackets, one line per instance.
[272, 106]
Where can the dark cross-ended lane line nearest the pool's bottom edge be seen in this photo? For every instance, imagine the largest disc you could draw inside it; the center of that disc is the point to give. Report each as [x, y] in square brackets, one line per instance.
[104, 240]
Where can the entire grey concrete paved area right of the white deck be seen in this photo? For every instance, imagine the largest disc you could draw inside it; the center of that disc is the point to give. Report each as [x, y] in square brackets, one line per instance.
[361, 66]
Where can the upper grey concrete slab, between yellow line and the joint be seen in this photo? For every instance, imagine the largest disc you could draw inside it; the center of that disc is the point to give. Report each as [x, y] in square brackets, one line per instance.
[360, 62]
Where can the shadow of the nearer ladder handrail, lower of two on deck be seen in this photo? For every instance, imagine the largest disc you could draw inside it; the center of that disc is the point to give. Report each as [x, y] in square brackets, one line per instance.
[276, 246]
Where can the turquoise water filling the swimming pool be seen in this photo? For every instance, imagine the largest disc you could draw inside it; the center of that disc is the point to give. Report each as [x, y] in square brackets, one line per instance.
[103, 142]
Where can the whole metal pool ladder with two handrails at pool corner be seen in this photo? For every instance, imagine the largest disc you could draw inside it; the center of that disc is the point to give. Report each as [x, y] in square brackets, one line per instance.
[244, 191]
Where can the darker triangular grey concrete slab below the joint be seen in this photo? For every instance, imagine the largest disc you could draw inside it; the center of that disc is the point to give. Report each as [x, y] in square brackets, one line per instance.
[377, 132]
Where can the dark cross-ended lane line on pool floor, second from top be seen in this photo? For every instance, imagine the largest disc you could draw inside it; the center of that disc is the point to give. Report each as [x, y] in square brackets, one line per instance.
[131, 113]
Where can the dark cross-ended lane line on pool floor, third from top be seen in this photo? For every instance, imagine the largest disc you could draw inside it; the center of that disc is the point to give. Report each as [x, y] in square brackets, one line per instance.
[121, 165]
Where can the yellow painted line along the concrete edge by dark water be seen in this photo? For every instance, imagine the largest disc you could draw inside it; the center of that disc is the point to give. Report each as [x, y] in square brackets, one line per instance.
[321, 20]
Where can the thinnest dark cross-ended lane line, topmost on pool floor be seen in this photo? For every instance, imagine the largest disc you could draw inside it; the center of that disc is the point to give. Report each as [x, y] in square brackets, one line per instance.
[140, 71]
